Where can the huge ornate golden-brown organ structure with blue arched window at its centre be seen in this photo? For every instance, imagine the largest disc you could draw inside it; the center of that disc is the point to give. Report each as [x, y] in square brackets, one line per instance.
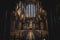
[29, 21]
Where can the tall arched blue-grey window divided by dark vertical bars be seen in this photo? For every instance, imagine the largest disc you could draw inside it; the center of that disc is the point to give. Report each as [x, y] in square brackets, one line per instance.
[30, 10]
